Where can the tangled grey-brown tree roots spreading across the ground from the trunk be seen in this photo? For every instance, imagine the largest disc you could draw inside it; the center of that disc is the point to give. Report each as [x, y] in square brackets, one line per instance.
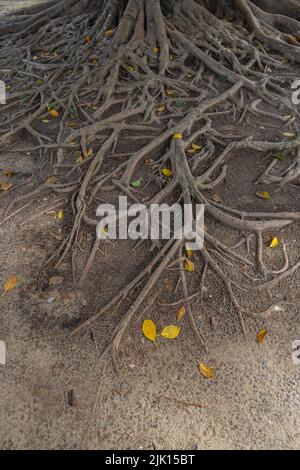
[143, 71]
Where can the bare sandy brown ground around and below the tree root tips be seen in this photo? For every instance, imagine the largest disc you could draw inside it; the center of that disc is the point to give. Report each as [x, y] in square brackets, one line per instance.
[55, 393]
